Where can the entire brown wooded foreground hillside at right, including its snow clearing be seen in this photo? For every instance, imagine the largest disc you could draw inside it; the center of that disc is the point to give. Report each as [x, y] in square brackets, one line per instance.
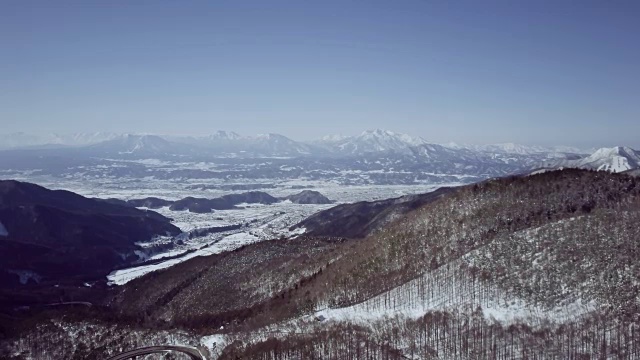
[540, 266]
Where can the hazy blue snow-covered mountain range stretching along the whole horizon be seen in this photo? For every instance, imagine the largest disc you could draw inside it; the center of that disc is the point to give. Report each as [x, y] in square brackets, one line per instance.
[373, 157]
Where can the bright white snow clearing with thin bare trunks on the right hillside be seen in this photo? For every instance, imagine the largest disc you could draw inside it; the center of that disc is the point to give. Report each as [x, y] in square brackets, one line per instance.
[451, 288]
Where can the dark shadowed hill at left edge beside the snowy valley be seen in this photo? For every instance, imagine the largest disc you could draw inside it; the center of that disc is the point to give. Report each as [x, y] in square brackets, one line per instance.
[56, 236]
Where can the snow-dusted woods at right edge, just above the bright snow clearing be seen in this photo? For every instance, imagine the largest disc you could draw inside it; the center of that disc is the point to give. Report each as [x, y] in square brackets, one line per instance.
[592, 258]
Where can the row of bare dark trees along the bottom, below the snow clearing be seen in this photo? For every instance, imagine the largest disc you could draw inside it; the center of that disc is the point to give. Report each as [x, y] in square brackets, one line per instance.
[448, 335]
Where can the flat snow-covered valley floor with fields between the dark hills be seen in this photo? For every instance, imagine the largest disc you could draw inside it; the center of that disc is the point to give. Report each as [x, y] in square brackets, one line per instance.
[257, 222]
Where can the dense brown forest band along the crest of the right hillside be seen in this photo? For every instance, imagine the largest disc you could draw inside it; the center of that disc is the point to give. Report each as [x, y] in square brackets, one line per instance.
[472, 217]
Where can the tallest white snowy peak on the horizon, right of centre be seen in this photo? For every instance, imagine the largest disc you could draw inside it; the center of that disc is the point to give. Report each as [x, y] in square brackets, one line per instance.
[371, 141]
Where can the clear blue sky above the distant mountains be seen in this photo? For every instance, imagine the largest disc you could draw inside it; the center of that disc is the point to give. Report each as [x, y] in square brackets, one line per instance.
[533, 72]
